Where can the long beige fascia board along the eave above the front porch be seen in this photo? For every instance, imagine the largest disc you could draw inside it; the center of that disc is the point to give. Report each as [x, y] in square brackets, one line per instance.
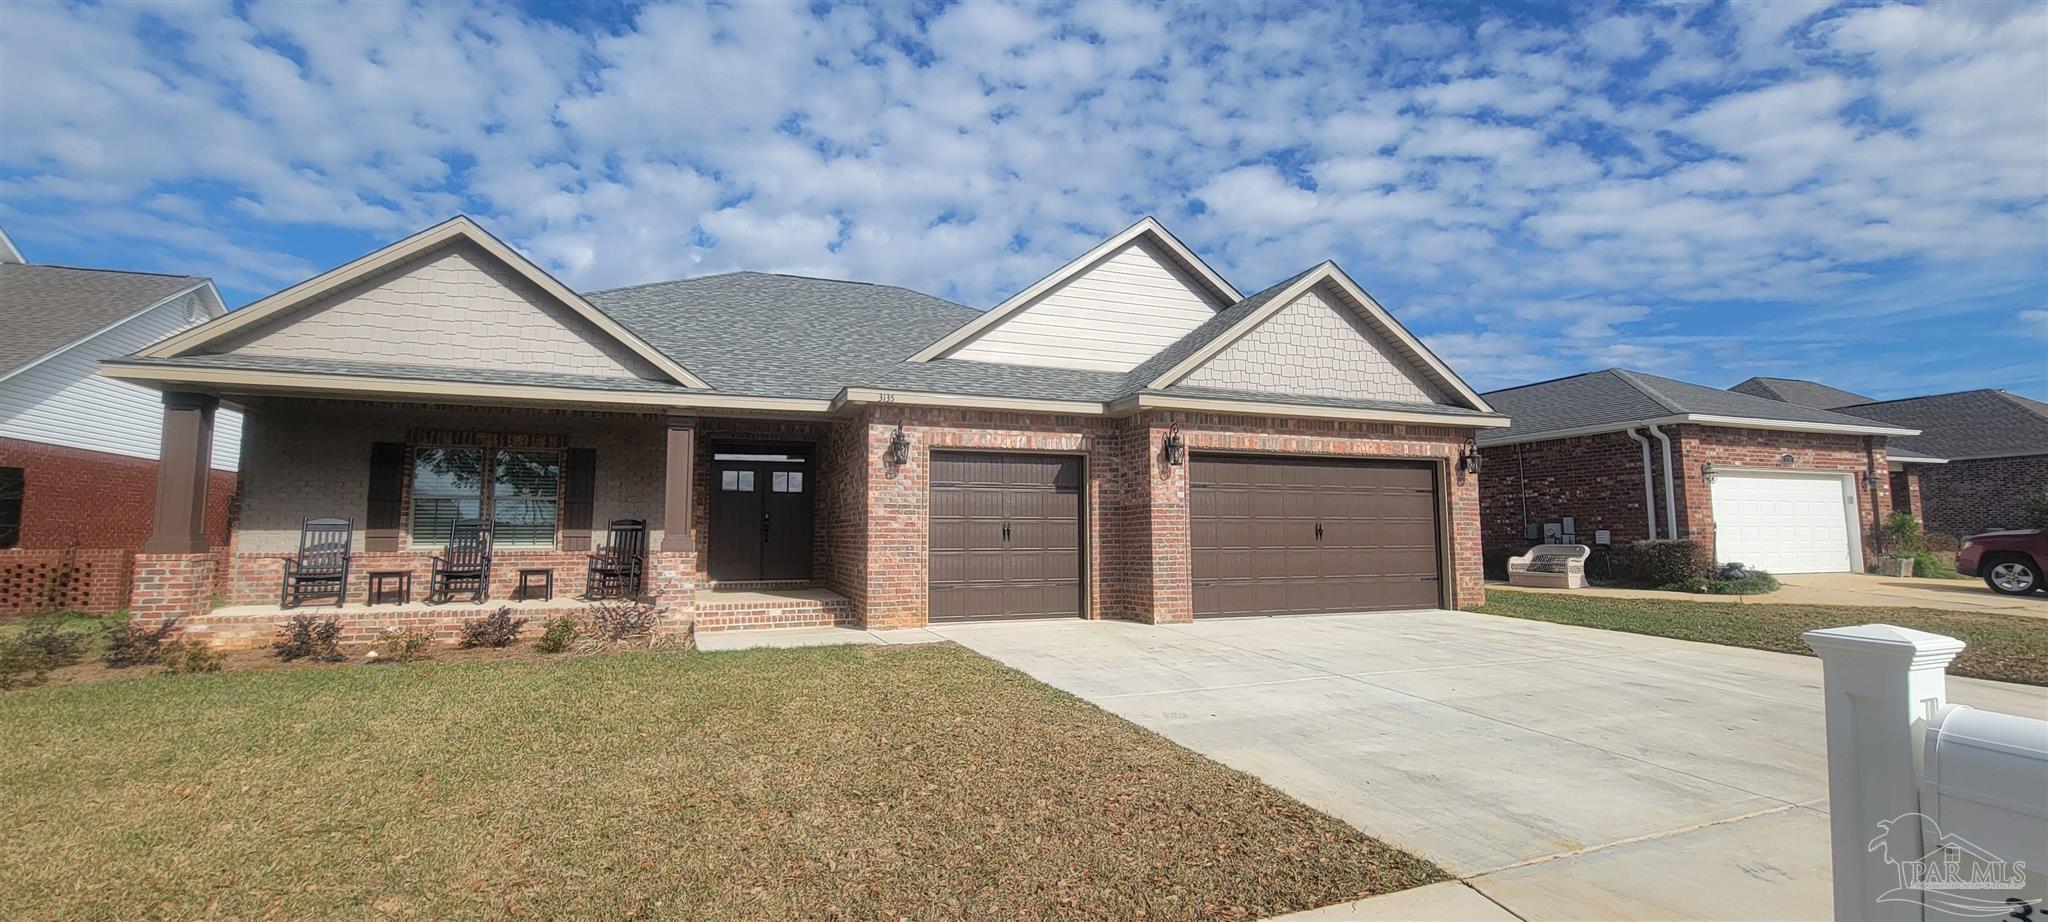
[409, 388]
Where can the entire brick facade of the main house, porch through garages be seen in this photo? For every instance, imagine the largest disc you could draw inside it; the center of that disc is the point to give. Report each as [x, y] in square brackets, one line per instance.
[871, 517]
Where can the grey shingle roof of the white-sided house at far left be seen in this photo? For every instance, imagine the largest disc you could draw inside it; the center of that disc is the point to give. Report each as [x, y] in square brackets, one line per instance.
[48, 308]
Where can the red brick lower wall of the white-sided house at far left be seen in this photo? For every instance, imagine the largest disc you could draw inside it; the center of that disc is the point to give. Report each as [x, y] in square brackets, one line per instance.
[91, 499]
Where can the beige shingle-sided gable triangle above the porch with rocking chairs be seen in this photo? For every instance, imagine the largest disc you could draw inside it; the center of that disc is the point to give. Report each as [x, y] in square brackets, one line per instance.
[452, 306]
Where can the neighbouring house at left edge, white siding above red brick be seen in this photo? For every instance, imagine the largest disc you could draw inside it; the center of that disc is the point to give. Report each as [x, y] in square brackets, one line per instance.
[79, 452]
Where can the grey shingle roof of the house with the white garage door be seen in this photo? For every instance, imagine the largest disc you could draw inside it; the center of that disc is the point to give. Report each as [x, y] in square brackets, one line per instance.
[1619, 399]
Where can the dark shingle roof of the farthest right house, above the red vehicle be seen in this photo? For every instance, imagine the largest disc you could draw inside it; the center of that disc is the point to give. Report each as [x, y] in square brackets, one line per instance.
[1967, 425]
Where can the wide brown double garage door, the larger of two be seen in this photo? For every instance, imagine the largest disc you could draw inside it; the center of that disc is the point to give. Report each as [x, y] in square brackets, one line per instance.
[1314, 536]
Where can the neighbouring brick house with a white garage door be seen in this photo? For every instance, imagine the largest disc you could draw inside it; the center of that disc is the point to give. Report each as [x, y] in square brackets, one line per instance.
[1621, 456]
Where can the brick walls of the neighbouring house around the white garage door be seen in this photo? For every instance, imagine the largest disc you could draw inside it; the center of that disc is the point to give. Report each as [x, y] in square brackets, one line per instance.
[1598, 480]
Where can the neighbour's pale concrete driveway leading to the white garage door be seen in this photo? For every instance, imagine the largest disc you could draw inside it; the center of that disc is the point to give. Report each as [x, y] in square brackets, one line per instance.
[1848, 591]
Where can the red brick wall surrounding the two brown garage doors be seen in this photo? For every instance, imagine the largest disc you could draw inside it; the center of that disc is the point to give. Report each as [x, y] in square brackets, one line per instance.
[1136, 505]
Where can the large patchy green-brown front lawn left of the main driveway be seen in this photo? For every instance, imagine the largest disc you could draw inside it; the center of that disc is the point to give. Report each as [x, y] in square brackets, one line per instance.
[781, 784]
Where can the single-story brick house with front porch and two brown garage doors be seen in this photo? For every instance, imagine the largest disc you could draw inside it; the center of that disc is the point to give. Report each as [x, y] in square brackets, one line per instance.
[1129, 437]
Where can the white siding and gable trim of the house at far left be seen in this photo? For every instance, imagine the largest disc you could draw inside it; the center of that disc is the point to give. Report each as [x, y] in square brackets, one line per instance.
[67, 403]
